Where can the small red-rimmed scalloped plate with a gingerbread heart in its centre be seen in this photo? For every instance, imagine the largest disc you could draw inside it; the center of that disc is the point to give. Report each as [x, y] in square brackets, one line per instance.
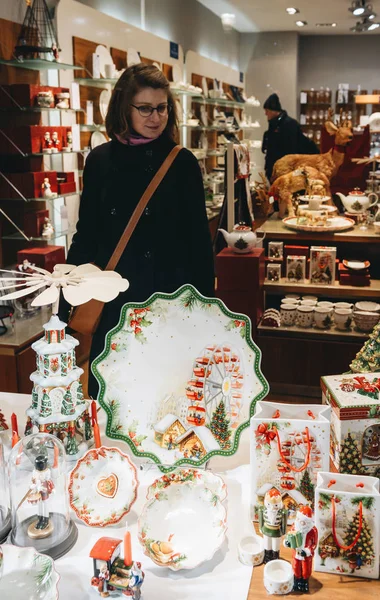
[103, 486]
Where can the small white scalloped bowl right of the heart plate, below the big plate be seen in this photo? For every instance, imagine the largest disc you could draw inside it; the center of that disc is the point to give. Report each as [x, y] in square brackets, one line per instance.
[182, 526]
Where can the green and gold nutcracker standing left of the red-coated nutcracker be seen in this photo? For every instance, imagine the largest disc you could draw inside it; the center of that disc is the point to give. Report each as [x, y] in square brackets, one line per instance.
[272, 523]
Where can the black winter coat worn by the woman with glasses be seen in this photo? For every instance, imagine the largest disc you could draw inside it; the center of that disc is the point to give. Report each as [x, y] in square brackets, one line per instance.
[171, 244]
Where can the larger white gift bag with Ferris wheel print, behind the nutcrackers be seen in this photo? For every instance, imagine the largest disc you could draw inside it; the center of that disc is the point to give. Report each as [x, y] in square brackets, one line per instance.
[289, 445]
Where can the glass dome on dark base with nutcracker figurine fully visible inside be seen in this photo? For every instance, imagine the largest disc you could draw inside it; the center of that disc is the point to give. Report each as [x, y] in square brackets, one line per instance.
[38, 494]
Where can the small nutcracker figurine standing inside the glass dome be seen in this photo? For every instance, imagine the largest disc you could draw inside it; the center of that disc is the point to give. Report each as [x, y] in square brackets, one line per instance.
[41, 488]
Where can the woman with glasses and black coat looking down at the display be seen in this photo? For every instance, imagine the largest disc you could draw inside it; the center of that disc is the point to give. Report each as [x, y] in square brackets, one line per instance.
[171, 244]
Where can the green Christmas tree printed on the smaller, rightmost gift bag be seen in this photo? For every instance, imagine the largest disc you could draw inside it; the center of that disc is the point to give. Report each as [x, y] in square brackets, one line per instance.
[364, 545]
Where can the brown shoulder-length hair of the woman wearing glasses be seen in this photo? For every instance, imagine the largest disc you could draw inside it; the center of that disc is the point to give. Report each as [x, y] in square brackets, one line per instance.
[134, 79]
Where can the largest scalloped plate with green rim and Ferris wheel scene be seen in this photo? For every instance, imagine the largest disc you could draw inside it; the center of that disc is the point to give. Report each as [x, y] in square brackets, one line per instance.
[179, 378]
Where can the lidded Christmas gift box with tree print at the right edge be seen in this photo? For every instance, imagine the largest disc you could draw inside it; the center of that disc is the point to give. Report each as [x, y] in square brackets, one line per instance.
[355, 422]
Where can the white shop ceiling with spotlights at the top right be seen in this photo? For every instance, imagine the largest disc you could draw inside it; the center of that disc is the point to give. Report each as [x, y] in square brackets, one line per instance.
[270, 15]
